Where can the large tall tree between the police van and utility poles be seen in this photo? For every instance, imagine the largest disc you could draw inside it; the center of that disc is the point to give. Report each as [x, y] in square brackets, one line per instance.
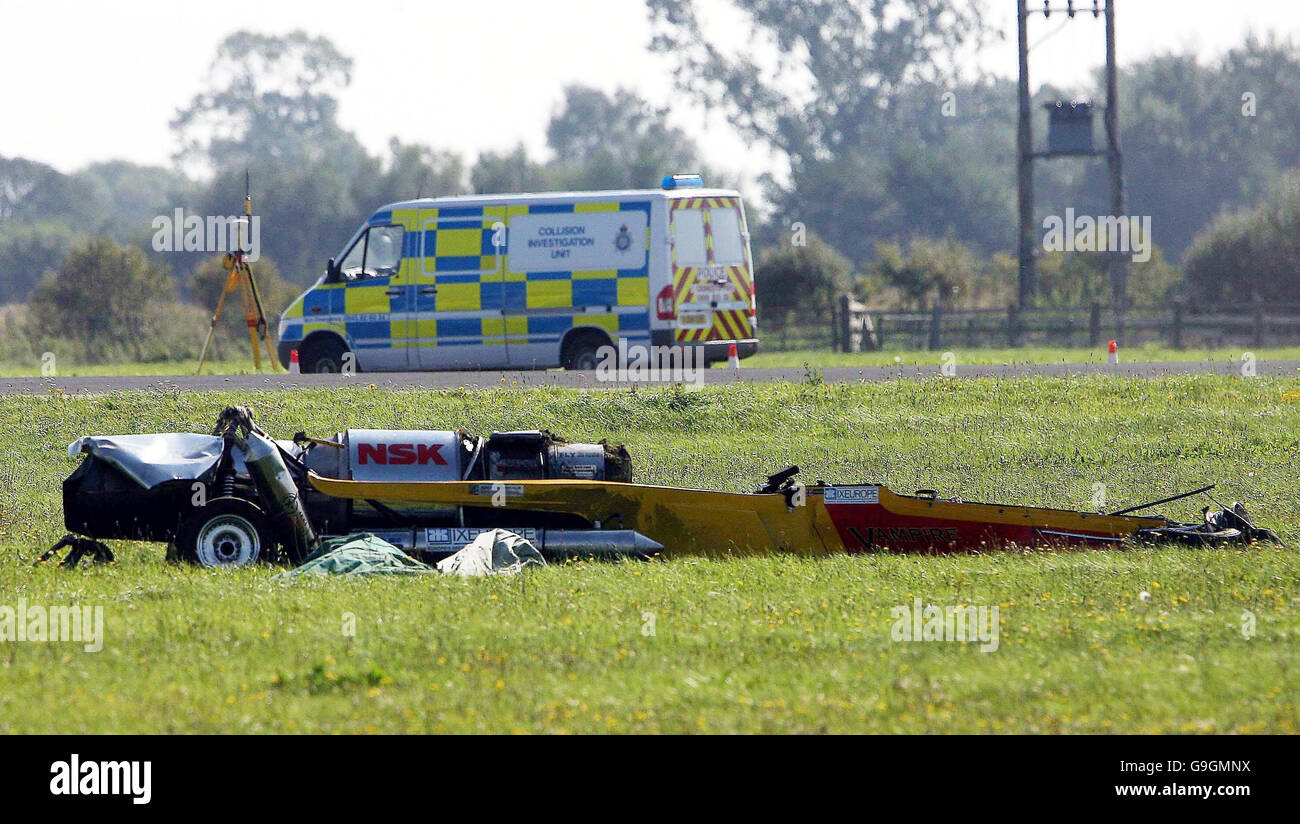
[852, 94]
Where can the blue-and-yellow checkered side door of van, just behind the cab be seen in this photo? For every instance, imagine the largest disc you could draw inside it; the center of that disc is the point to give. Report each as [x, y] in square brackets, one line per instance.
[458, 289]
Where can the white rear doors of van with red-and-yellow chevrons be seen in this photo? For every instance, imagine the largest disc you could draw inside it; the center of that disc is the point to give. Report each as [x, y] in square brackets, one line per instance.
[712, 271]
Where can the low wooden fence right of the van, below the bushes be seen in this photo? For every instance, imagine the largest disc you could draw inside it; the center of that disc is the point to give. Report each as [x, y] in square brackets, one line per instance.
[851, 327]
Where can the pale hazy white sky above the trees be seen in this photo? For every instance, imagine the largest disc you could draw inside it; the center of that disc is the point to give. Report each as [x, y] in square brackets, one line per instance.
[99, 81]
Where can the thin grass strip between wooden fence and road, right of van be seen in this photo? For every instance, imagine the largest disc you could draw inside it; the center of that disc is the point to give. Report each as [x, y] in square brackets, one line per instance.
[1025, 355]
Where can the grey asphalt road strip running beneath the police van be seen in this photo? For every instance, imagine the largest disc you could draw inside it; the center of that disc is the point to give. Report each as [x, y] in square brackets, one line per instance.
[590, 380]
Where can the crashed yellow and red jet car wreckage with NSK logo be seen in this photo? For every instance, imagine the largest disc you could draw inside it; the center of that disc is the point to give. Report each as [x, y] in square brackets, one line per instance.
[239, 497]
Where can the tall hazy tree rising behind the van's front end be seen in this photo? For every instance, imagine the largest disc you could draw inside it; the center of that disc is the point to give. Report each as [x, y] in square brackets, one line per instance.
[274, 112]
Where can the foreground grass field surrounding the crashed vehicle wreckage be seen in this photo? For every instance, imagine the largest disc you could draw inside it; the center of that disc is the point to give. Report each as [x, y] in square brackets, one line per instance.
[774, 644]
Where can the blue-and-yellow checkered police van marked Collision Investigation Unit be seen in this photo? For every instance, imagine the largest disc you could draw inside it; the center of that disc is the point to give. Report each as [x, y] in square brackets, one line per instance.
[532, 281]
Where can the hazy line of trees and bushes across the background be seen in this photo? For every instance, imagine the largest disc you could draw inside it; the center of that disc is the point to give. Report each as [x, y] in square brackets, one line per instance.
[895, 177]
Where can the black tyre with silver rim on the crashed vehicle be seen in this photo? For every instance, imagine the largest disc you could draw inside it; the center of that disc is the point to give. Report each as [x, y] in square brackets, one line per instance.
[227, 534]
